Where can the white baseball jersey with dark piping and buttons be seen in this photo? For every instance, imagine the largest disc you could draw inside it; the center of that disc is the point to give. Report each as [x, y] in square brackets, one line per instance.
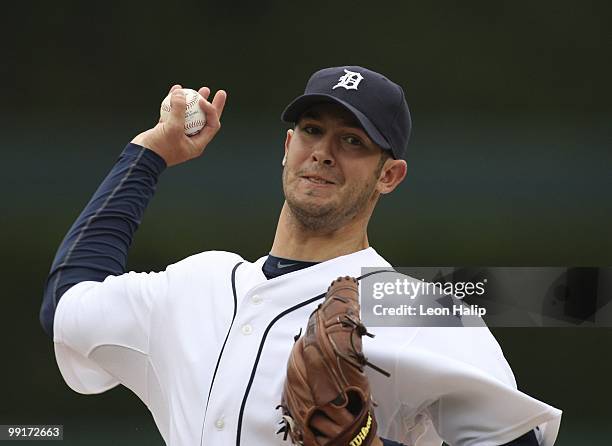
[205, 344]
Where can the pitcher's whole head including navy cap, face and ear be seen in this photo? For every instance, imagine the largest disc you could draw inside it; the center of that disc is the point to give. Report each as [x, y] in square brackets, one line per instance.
[341, 155]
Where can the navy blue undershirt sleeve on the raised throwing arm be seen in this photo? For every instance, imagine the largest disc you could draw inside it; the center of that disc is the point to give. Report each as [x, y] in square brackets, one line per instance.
[97, 244]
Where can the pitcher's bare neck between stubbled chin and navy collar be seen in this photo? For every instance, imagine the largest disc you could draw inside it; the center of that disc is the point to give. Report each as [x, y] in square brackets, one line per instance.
[293, 241]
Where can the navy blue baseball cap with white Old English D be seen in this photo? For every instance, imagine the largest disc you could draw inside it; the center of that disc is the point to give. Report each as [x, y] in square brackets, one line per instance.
[378, 103]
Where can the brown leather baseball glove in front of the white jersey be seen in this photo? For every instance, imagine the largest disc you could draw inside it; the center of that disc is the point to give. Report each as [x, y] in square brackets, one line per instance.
[326, 397]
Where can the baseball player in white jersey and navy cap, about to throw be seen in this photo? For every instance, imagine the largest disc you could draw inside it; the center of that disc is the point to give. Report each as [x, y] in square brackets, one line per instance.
[204, 343]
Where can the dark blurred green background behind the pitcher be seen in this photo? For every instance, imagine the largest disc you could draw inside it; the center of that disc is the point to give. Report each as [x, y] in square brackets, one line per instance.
[509, 163]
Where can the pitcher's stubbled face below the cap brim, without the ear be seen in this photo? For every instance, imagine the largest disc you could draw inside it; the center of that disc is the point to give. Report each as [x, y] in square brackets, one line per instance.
[331, 169]
